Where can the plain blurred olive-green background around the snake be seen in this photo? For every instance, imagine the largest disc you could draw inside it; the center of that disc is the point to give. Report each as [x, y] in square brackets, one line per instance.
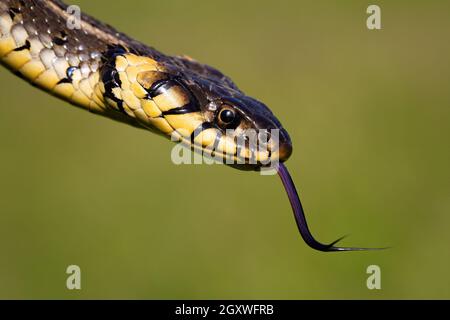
[368, 113]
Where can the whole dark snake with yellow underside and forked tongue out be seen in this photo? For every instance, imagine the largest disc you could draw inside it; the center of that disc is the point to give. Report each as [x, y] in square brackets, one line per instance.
[90, 65]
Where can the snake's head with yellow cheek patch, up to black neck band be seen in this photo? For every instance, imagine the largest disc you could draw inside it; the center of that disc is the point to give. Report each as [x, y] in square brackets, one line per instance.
[197, 105]
